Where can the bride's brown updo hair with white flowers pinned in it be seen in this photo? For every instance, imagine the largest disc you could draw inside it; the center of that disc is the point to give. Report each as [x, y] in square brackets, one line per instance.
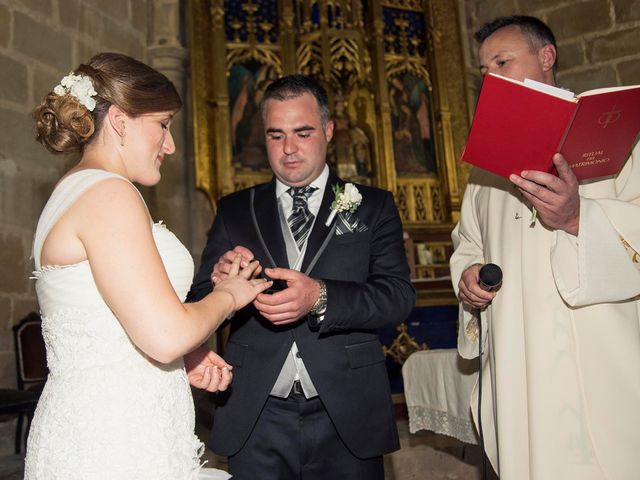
[65, 122]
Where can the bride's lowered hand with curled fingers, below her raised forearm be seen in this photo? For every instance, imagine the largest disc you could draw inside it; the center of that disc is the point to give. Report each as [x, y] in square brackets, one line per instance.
[207, 370]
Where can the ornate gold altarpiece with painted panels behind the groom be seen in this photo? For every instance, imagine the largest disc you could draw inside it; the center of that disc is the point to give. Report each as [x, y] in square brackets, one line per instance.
[394, 73]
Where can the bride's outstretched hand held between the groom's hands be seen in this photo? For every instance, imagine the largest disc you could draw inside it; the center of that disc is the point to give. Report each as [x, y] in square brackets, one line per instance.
[240, 284]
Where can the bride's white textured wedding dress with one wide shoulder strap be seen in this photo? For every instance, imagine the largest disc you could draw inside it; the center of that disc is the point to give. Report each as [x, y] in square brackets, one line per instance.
[107, 410]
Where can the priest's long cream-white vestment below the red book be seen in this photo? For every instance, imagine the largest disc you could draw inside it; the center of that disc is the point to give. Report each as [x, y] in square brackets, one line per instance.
[561, 362]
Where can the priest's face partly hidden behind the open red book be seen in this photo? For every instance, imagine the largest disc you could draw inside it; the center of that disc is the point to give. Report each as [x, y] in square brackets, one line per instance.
[507, 52]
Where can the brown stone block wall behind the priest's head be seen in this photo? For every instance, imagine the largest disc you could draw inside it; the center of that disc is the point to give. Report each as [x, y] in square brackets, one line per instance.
[597, 39]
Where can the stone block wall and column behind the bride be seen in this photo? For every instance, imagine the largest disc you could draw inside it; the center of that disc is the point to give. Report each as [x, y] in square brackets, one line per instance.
[40, 42]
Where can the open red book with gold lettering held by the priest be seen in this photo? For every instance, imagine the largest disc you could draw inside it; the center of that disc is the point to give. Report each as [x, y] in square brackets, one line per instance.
[521, 125]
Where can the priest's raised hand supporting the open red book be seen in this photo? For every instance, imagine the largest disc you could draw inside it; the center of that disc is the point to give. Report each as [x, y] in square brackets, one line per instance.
[555, 198]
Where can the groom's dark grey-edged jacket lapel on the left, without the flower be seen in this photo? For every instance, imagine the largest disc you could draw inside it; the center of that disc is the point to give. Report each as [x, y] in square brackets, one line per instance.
[267, 222]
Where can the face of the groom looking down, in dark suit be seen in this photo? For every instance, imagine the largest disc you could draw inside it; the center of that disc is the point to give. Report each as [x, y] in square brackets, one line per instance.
[296, 139]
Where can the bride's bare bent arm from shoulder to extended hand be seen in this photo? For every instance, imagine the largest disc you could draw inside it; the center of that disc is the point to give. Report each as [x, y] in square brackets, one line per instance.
[113, 225]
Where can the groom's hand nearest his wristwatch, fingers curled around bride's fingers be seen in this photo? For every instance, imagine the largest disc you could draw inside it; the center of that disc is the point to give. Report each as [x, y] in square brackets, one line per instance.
[292, 303]
